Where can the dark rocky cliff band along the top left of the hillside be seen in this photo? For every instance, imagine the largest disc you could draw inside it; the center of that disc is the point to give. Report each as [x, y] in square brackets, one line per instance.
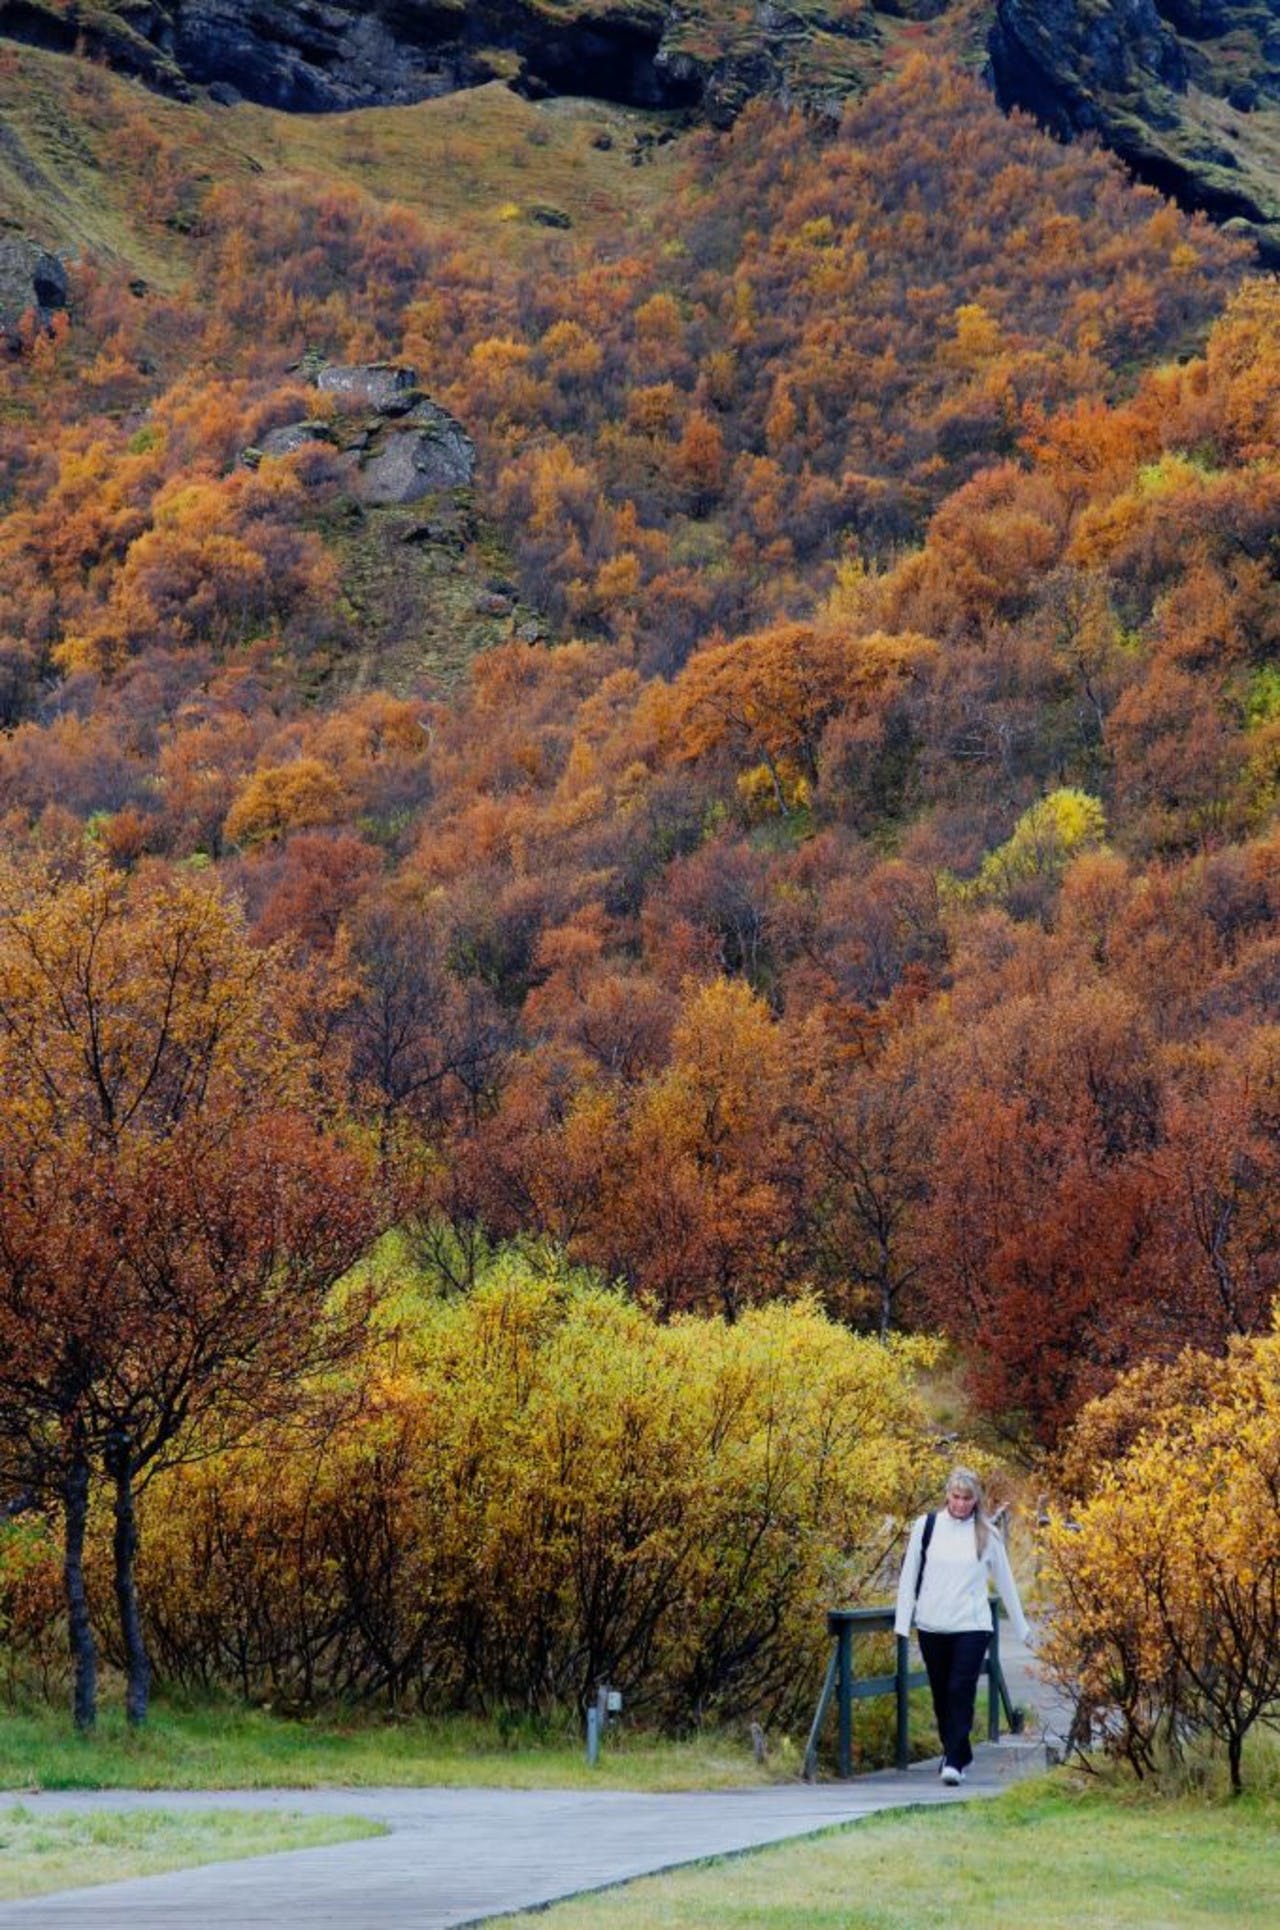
[329, 55]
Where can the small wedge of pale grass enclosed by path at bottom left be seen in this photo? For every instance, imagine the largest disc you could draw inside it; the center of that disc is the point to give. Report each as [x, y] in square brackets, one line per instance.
[42, 1854]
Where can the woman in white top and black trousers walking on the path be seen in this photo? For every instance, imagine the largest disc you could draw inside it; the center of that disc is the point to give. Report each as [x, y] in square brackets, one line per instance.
[951, 1560]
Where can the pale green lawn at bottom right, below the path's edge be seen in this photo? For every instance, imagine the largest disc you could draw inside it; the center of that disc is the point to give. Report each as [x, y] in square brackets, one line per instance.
[1061, 1856]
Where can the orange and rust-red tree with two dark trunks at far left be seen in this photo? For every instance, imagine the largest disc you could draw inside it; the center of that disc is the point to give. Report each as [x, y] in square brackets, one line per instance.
[173, 1217]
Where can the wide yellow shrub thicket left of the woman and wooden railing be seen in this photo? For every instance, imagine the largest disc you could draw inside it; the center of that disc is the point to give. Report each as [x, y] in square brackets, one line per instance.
[549, 1491]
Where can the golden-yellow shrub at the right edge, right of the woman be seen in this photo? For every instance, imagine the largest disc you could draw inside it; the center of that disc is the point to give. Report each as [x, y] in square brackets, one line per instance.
[1169, 1572]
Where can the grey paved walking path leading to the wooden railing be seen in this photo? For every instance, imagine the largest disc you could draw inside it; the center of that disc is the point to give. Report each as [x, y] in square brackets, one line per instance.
[464, 1856]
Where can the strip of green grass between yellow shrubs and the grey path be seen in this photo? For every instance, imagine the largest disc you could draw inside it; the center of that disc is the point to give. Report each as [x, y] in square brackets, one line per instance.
[229, 1748]
